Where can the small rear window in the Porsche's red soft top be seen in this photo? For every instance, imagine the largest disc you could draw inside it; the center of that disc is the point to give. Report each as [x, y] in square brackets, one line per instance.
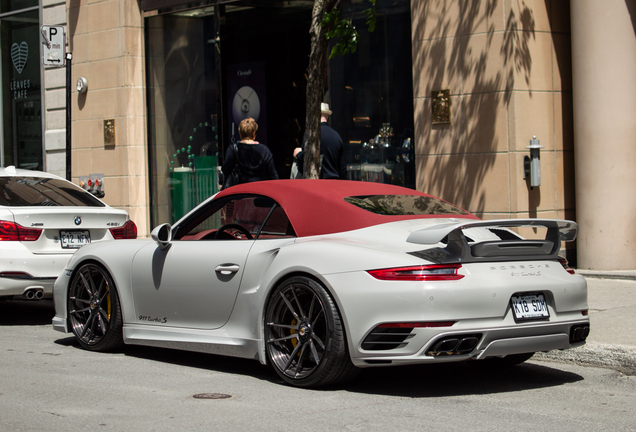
[405, 205]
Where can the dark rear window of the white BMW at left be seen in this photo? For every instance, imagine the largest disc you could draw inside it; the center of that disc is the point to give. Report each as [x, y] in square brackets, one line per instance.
[38, 191]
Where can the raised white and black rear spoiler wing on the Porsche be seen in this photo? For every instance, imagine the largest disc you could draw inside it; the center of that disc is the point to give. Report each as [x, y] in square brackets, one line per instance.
[458, 250]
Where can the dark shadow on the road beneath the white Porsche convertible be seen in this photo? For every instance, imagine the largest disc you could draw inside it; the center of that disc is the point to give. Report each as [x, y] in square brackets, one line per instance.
[424, 381]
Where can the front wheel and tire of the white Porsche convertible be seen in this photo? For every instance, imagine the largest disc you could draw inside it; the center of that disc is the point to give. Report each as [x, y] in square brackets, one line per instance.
[93, 309]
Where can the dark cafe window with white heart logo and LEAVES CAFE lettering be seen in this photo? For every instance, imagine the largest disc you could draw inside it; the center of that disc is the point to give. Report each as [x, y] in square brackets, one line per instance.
[20, 89]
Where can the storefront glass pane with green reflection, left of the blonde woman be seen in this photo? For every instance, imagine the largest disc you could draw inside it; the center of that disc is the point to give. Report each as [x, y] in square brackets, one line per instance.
[182, 112]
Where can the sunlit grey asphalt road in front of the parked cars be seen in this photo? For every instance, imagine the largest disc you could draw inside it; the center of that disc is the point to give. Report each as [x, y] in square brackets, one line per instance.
[47, 383]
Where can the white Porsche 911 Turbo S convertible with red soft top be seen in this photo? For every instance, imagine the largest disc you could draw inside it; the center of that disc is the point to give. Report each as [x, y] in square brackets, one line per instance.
[319, 278]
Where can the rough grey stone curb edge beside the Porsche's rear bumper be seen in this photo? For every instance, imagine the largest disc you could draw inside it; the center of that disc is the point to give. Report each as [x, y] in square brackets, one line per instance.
[618, 357]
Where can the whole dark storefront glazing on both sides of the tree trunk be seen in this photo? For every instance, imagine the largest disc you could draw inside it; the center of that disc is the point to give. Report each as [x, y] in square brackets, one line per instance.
[262, 58]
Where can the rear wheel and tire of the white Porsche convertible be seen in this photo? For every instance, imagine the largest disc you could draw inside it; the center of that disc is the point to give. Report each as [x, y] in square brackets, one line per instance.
[304, 335]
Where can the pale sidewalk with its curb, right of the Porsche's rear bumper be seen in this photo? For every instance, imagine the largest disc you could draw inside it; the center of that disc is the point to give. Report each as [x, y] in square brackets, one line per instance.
[612, 339]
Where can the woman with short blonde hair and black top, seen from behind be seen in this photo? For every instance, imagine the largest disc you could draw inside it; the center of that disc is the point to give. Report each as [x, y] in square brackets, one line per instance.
[248, 160]
